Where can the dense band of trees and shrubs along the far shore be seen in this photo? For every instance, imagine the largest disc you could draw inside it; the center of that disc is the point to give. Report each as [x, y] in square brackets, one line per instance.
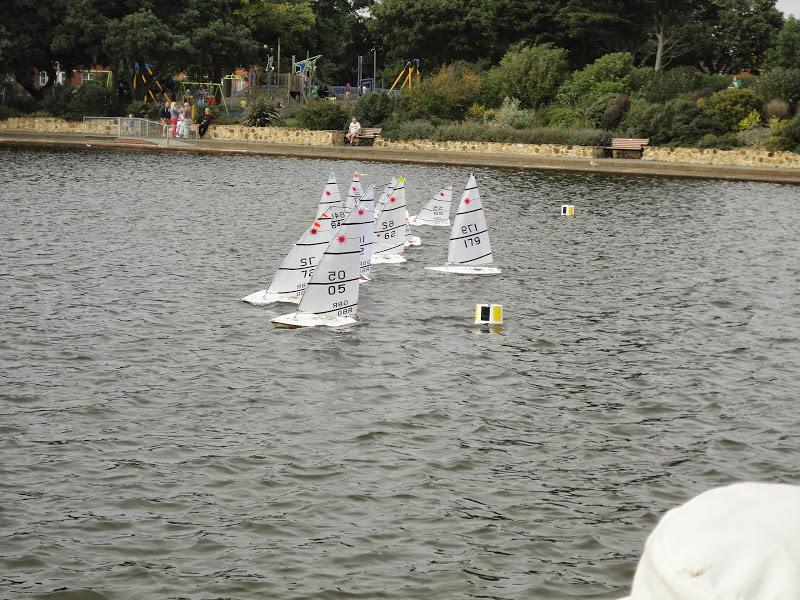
[510, 70]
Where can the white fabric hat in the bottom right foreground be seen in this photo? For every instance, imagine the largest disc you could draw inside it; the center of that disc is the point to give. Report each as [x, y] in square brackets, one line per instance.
[737, 542]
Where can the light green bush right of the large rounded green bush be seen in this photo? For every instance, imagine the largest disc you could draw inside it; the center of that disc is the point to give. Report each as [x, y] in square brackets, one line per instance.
[608, 74]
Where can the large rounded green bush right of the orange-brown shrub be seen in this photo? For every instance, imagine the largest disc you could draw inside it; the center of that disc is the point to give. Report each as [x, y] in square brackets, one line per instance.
[532, 74]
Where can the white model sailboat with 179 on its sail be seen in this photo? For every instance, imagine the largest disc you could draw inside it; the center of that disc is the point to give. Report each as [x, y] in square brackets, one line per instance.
[469, 248]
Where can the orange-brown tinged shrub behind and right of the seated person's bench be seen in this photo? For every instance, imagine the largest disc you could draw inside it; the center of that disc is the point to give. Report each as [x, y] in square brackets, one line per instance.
[447, 94]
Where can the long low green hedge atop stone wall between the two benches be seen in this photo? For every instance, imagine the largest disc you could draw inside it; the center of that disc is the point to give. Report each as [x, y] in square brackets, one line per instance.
[481, 132]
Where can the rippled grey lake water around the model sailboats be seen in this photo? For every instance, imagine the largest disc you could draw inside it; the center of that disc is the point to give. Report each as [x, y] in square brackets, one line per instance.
[160, 439]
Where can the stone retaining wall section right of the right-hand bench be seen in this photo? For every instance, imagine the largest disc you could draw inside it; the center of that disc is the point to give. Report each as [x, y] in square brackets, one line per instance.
[743, 157]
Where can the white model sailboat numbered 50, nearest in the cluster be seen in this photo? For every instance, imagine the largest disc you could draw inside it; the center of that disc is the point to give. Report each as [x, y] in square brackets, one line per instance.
[331, 296]
